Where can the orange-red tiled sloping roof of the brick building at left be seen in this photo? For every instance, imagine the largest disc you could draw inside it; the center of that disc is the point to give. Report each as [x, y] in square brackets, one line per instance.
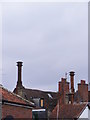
[10, 96]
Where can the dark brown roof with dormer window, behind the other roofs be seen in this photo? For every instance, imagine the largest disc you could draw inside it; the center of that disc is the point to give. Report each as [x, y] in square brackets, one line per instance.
[50, 98]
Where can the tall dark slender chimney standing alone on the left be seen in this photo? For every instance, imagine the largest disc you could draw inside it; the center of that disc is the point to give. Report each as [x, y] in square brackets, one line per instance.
[19, 82]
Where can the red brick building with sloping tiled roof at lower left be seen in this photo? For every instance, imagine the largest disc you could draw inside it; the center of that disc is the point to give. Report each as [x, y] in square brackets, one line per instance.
[14, 106]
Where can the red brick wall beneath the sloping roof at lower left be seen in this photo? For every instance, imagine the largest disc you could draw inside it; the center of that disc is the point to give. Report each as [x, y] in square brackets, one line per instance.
[16, 112]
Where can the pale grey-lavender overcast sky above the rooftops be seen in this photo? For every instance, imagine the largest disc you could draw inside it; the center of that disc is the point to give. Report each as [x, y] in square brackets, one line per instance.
[50, 38]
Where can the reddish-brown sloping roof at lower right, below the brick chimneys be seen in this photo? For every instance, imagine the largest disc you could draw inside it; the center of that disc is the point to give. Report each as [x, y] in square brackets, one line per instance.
[68, 111]
